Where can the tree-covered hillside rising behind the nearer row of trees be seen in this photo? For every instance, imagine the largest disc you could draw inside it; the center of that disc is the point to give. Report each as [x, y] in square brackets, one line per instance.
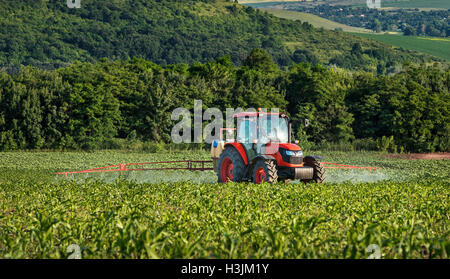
[49, 34]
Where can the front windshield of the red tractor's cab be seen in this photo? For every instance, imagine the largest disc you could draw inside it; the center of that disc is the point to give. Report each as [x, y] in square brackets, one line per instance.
[273, 129]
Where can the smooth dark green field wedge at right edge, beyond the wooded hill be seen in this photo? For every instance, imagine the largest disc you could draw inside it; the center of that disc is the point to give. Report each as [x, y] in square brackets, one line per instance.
[439, 47]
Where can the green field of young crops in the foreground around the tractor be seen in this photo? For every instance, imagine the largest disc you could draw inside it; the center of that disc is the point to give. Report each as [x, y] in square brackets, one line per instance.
[402, 209]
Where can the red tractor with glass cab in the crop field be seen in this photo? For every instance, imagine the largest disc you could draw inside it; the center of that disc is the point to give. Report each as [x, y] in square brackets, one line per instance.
[263, 152]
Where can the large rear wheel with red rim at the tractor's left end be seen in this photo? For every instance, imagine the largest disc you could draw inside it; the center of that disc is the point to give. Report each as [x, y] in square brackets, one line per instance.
[231, 166]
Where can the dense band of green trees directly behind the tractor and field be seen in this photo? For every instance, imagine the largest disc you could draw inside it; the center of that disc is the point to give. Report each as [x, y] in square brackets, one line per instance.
[91, 105]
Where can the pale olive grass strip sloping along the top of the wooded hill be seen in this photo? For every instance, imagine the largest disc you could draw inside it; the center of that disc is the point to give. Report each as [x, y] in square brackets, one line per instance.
[314, 20]
